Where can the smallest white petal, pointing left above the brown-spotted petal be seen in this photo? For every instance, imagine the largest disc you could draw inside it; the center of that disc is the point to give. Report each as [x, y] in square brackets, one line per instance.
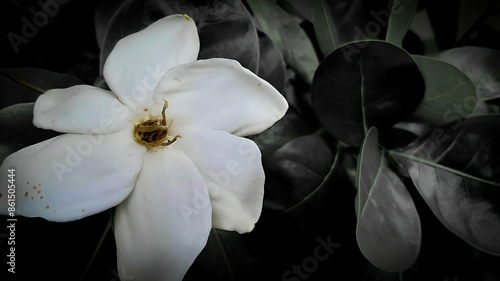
[80, 109]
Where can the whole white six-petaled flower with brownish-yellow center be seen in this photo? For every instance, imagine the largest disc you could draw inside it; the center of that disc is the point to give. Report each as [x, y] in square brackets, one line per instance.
[164, 145]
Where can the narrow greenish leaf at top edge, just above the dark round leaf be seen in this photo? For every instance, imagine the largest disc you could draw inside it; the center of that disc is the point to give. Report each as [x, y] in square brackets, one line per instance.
[324, 27]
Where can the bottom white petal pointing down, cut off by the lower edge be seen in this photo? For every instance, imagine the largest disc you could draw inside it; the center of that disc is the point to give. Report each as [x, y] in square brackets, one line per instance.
[164, 224]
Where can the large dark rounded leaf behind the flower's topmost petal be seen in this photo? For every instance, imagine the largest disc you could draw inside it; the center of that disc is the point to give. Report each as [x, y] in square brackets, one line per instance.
[224, 26]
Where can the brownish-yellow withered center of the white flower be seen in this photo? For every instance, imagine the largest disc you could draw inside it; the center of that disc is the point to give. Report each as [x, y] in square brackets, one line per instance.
[155, 132]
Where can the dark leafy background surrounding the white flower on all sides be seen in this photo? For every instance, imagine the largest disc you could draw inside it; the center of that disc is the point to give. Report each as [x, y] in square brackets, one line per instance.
[323, 163]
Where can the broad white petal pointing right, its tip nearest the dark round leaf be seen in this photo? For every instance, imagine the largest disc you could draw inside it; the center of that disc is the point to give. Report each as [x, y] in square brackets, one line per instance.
[220, 94]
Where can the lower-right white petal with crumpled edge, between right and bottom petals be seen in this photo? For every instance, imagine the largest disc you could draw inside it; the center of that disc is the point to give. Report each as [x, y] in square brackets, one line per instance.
[232, 169]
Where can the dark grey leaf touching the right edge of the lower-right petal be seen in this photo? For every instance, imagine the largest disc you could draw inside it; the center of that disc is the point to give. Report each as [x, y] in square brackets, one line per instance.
[296, 169]
